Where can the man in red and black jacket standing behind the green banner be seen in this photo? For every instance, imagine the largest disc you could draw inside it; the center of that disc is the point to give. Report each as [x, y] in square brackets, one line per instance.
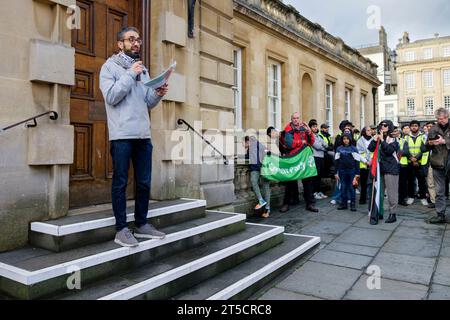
[297, 135]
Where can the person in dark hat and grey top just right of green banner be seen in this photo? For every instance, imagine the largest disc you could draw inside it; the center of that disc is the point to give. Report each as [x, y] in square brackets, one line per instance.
[320, 147]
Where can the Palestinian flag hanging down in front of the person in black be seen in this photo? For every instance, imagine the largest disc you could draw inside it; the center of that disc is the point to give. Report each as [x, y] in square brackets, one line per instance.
[376, 208]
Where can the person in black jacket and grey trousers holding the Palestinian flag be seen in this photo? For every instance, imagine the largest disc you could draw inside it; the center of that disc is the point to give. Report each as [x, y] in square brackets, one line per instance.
[389, 164]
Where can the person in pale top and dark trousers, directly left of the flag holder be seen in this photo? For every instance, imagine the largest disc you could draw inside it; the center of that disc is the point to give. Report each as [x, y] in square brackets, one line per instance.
[365, 161]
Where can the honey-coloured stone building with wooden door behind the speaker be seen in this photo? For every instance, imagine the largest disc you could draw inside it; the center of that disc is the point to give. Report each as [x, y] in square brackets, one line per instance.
[51, 62]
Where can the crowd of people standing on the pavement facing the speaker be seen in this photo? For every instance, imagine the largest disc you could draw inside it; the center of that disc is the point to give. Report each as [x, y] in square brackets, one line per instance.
[412, 162]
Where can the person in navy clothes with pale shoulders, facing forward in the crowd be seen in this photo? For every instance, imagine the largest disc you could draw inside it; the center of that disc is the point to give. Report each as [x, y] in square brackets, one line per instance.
[347, 166]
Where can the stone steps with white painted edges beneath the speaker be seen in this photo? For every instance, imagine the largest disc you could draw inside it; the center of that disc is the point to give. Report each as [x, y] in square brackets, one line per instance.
[202, 250]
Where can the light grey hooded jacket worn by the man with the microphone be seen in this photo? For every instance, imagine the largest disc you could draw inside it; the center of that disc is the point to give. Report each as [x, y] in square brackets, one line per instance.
[127, 100]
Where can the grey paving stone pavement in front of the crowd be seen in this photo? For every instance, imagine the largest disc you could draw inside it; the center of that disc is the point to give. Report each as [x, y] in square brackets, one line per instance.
[411, 256]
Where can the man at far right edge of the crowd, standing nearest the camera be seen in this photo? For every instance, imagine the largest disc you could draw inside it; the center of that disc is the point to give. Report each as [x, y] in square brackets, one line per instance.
[439, 144]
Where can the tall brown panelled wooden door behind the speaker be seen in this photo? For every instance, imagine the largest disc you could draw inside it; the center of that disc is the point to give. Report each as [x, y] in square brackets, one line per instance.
[95, 41]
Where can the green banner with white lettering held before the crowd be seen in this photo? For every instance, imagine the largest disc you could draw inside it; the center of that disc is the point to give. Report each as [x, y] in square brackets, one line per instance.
[297, 167]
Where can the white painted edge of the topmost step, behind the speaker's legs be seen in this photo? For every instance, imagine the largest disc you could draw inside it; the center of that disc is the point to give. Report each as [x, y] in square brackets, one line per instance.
[59, 231]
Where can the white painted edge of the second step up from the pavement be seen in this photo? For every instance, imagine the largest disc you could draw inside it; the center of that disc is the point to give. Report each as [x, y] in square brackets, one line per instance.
[171, 275]
